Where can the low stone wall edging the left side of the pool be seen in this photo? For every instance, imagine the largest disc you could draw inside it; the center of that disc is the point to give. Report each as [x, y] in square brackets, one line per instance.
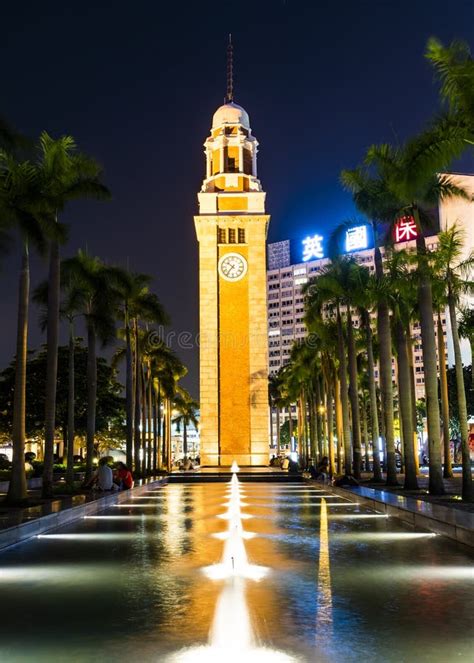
[11, 536]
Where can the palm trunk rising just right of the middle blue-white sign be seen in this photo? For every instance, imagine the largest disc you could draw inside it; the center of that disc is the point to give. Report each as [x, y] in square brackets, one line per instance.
[386, 386]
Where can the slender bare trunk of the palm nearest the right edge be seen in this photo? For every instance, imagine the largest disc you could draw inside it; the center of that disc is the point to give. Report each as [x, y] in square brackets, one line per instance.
[467, 494]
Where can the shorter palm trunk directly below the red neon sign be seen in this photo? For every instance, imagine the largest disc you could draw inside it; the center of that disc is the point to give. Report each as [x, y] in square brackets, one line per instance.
[404, 398]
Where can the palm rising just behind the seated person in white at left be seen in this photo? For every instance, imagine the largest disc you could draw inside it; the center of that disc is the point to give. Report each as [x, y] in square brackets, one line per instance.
[96, 300]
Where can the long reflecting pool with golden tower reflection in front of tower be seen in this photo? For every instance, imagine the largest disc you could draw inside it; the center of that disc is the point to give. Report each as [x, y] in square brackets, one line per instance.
[237, 572]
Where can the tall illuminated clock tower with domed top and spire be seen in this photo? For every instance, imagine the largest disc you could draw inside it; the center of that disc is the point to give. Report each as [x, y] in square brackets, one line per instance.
[231, 229]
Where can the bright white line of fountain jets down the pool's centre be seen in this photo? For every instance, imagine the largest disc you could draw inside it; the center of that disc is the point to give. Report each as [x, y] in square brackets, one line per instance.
[232, 637]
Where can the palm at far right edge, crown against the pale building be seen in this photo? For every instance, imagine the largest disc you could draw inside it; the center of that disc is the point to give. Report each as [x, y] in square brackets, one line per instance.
[453, 271]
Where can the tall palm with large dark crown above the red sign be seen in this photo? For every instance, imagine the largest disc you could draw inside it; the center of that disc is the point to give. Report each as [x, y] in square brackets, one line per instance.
[409, 176]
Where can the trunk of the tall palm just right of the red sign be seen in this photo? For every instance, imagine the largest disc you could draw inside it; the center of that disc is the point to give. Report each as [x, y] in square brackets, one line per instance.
[425, 307]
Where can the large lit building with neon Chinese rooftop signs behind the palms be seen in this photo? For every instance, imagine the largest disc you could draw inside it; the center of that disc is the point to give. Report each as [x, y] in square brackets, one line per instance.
[286, 277]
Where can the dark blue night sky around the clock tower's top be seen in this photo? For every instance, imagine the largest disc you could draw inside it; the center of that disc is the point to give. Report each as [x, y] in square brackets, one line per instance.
[136, 84]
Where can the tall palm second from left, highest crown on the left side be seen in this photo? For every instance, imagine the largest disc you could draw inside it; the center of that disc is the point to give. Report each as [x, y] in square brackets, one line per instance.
[65, 175]
